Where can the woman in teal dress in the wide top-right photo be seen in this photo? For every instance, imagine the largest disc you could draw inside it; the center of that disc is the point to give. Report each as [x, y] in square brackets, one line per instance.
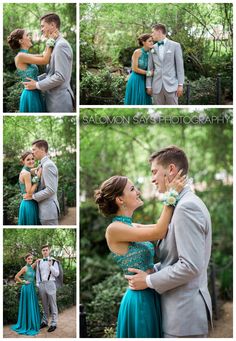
[136, 86]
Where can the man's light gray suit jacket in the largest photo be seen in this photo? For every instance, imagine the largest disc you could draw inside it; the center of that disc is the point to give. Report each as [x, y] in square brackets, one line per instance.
[182, 277]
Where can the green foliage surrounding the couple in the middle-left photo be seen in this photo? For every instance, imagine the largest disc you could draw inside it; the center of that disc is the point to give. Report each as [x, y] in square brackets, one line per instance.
[19, 133]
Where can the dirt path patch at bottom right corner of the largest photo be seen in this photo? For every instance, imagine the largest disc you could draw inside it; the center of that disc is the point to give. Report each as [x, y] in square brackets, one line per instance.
[224, 326]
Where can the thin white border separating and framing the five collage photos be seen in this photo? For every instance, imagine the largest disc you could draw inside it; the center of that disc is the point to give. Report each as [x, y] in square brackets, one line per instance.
[77, 137]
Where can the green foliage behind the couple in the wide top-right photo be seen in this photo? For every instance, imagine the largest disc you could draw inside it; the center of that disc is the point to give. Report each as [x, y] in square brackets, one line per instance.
[205, 32]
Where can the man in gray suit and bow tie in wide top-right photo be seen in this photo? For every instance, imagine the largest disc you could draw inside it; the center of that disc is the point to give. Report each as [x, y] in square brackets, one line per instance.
[166, 60]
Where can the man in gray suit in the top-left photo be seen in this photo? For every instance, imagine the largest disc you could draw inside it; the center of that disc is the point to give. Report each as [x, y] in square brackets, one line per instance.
[56, 81]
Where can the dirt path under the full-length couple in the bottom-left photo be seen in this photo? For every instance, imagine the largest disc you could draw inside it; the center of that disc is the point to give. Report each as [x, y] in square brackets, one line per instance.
[66, 327]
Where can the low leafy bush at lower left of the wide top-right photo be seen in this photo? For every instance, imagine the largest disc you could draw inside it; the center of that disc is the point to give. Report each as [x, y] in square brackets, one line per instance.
[102, 88]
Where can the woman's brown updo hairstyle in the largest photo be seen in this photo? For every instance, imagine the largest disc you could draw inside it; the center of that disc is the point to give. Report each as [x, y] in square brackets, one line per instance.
[105, 196]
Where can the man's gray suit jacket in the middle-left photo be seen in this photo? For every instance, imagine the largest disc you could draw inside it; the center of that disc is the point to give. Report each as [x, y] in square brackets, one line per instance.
[47, 191]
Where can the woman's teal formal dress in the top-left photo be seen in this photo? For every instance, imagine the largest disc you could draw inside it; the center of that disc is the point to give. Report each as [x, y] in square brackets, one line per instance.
[30, 100]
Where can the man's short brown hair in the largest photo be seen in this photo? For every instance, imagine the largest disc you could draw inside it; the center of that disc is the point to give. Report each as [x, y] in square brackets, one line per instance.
[171, 154]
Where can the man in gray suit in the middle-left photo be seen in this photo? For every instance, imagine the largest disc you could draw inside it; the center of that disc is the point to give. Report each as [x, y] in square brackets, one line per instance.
[47, 190]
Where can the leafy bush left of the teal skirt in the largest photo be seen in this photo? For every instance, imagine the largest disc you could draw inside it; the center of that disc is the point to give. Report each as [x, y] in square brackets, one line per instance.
[103, 309]
